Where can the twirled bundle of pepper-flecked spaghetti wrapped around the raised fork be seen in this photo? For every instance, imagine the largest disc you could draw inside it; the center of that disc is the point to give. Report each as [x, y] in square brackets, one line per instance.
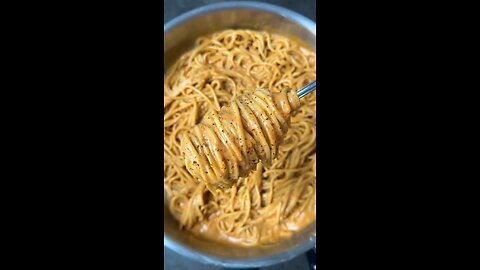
[228, 144]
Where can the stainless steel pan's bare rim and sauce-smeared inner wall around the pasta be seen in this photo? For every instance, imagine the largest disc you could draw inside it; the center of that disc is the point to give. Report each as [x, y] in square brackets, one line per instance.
[179, 35]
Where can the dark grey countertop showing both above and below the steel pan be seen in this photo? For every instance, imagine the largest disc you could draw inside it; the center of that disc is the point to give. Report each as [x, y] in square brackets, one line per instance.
[174, 8]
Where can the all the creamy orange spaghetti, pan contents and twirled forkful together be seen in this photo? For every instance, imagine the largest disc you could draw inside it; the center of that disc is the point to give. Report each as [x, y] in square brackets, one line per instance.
[278, 198]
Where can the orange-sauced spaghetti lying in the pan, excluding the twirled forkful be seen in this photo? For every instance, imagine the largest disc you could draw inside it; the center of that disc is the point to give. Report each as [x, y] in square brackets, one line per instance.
[278, 198]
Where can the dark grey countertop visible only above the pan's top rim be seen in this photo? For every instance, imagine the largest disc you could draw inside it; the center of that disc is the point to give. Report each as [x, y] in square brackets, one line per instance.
[174, 8]
